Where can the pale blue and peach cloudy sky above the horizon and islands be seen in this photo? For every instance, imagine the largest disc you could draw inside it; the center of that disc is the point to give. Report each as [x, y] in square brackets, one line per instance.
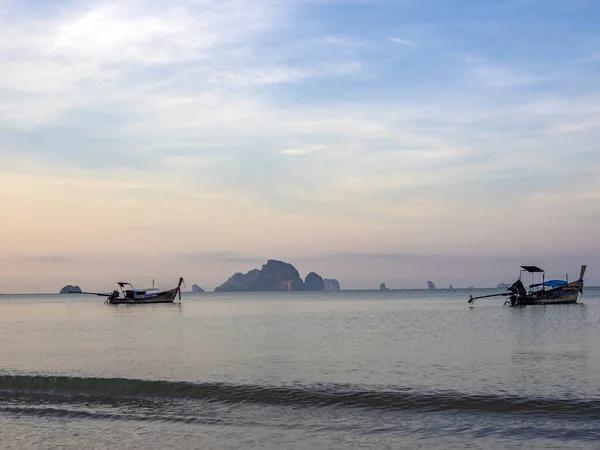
[393, 141]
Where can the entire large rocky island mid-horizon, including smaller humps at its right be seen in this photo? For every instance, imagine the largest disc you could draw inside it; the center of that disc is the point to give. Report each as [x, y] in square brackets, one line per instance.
[276, 276]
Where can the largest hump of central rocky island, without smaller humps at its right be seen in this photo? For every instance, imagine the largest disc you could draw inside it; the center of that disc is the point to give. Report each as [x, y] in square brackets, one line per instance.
[273, 276]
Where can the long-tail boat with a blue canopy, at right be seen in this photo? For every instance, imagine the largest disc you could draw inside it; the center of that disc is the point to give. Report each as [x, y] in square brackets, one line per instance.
[542, 292]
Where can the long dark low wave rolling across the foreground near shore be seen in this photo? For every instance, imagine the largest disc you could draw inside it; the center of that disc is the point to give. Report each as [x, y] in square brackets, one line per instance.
[110, 390]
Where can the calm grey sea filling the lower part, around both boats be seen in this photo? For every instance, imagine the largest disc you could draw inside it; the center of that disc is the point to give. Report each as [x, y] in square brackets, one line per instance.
[400, 369]
